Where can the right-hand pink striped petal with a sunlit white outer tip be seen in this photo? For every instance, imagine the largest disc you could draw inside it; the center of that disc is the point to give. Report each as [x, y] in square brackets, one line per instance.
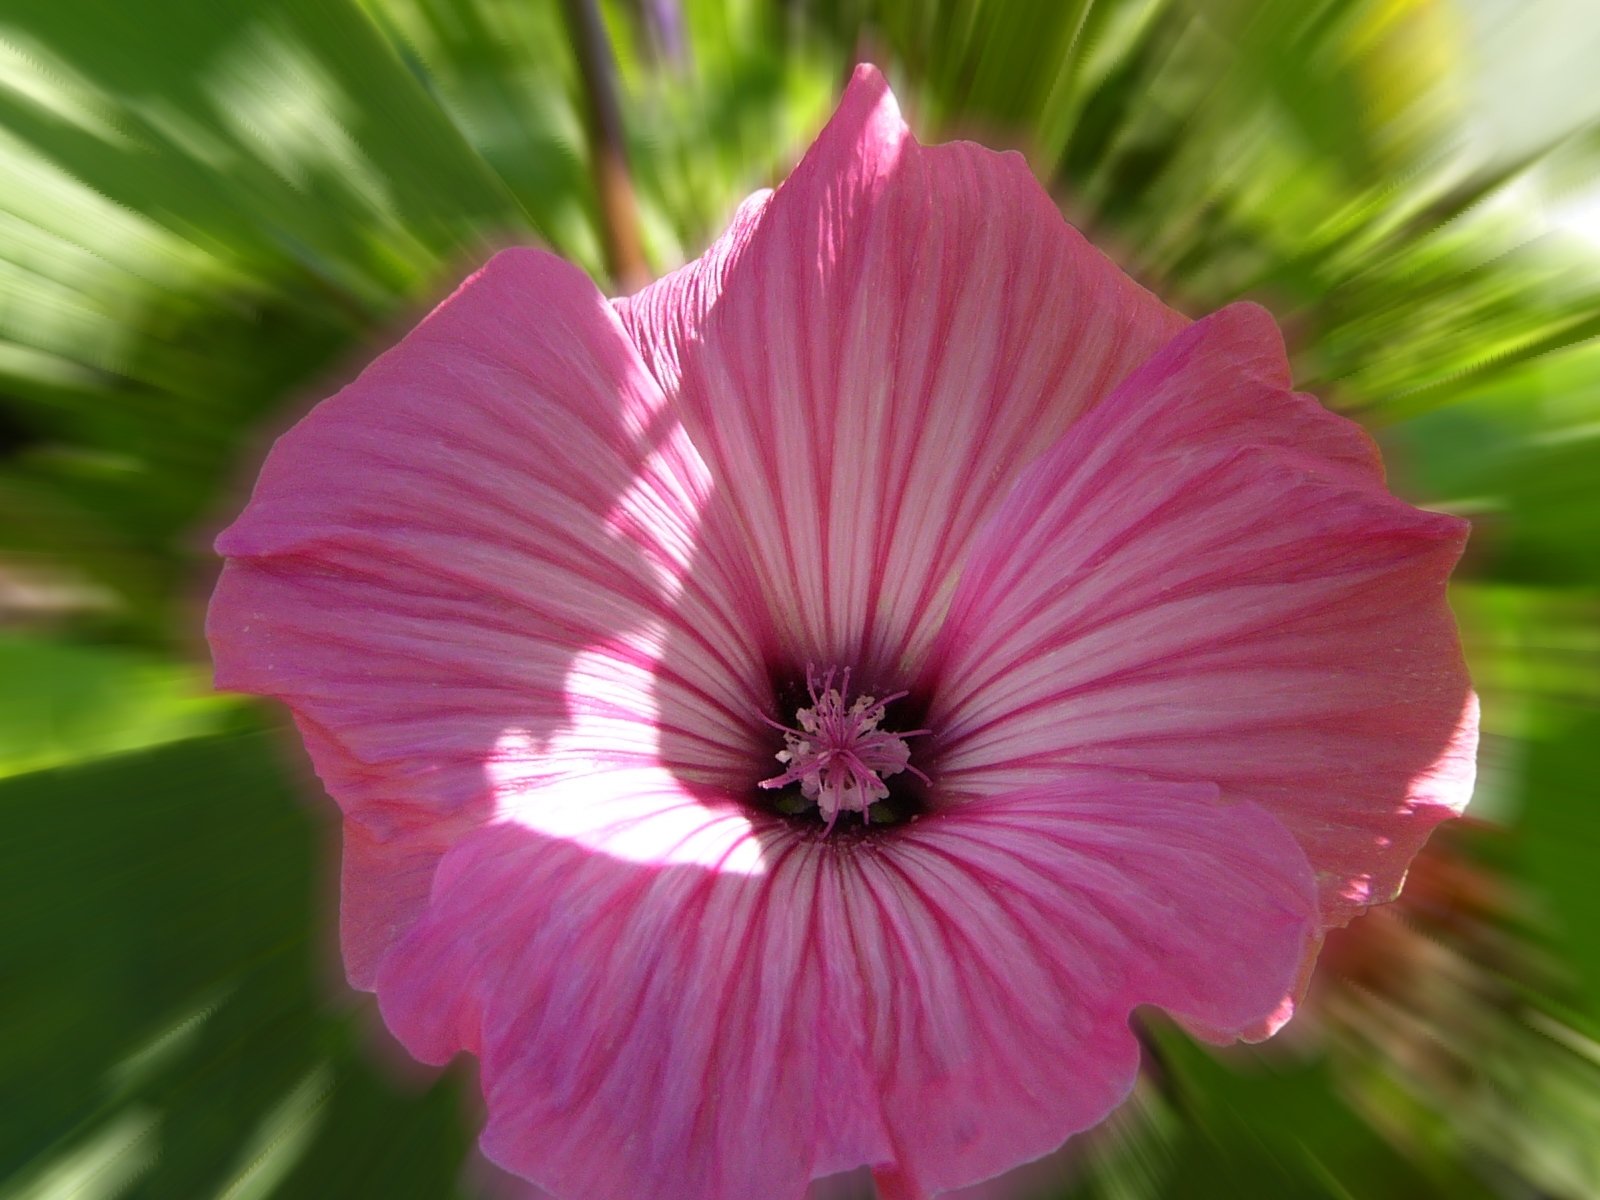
[1206, 580]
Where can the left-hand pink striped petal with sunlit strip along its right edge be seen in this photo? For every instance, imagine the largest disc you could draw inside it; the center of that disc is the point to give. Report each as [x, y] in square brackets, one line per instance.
[449, 554]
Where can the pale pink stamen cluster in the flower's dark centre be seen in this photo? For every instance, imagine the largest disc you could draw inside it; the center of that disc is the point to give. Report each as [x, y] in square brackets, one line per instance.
[839, 756]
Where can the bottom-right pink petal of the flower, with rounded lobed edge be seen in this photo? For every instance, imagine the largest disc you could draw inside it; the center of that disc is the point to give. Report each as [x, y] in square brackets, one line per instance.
[1022, 932]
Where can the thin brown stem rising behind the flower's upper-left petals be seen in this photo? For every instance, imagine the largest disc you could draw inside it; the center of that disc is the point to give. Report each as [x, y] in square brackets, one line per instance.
[625, 257]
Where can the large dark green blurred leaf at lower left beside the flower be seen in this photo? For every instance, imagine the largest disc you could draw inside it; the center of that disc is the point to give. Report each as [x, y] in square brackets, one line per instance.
[169, 950]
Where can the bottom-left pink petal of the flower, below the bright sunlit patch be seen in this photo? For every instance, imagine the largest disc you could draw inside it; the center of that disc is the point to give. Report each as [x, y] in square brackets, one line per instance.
[644, 1030]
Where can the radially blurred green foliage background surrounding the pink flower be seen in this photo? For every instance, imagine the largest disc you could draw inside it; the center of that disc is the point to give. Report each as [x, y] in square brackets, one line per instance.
[214, 212]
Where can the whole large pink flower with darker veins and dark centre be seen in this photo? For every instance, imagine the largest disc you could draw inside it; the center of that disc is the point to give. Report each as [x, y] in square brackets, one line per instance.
[609, 628]
